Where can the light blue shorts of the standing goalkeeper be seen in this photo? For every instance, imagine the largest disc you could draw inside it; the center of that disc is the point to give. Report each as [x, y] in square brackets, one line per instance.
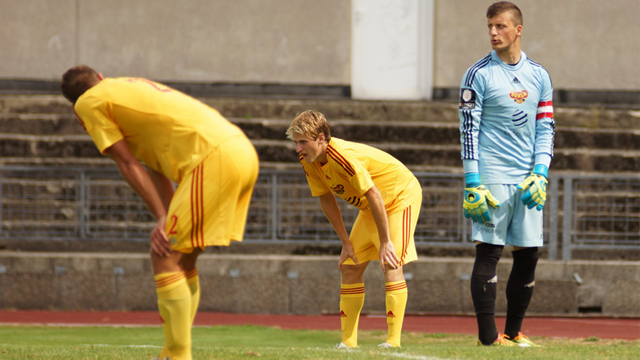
[512, 223]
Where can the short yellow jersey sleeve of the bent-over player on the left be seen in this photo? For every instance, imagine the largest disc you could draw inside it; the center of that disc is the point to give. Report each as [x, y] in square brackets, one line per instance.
[93, 114]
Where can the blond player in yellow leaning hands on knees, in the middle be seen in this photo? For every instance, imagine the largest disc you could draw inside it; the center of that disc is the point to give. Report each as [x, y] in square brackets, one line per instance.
[389, 198]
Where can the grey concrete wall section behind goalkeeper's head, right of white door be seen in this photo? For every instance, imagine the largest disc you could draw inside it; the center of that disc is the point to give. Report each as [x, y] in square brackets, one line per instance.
[585, 45]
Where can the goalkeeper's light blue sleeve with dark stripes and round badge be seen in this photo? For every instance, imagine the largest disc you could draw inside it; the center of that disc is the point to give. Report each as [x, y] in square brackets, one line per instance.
[470, 112]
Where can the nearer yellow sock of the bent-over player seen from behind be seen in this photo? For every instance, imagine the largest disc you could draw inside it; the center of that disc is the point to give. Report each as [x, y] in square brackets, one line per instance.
[174, 304]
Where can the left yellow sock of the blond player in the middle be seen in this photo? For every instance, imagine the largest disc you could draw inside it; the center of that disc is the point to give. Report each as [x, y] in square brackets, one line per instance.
[351, 301]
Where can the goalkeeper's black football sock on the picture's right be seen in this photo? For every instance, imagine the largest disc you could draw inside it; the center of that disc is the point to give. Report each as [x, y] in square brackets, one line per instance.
[520, 288]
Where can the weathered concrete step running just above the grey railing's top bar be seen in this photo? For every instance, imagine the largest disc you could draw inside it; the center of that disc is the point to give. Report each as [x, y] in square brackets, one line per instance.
[59, 149]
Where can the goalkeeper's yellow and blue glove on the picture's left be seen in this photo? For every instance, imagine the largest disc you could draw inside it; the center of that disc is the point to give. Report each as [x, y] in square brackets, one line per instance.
[476, 197]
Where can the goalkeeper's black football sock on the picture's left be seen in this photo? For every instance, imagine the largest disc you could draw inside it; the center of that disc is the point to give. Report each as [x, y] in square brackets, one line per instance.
[484, 283]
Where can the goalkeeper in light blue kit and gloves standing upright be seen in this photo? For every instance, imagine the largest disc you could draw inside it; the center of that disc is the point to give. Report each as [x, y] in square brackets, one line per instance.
[506, 131]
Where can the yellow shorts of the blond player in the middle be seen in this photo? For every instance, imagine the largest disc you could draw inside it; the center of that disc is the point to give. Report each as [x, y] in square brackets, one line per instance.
[402, 224]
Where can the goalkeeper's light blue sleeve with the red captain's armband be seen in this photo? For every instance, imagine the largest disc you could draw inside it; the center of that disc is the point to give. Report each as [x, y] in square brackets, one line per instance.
[545, 123]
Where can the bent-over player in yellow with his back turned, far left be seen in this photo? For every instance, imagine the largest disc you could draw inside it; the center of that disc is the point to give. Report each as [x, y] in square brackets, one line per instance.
[180, 140]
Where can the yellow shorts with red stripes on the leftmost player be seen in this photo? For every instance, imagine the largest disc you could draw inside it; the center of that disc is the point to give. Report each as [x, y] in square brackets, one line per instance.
[211, 204]
